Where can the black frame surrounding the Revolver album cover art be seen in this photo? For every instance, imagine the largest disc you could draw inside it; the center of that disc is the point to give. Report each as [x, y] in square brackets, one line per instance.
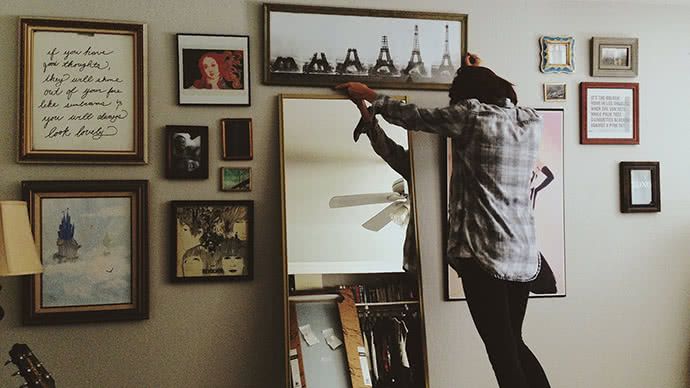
[174, 205]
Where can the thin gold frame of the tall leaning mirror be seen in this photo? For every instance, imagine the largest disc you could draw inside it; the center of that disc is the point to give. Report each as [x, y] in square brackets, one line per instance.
[284, 263]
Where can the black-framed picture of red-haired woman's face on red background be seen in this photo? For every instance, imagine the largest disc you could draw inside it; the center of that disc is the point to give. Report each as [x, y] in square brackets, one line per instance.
[213, 69]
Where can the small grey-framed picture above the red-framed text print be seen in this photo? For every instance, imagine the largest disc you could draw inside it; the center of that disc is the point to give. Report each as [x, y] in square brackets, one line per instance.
[614, 57]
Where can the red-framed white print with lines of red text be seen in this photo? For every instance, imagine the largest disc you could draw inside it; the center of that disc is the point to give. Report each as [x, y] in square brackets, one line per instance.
[609, 113]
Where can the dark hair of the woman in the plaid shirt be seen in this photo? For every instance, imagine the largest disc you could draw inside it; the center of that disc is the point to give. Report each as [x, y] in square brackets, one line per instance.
[480, 83]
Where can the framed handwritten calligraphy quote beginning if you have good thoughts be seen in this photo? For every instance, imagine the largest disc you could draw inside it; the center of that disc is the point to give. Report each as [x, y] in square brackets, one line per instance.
[82, 92]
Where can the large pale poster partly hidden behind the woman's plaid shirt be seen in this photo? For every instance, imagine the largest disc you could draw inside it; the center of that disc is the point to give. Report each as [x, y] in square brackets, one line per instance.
[547, 197]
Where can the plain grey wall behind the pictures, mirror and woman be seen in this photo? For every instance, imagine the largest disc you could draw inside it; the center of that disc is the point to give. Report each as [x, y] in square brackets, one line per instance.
[624, 323]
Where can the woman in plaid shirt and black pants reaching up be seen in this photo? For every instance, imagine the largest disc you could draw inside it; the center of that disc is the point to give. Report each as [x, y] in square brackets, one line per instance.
[492, 236]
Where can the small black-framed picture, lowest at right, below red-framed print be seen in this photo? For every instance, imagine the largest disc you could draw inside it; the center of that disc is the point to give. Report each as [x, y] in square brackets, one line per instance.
[640, 188]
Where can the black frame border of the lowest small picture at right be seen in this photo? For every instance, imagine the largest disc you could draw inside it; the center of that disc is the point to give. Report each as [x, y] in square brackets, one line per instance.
[626, 187]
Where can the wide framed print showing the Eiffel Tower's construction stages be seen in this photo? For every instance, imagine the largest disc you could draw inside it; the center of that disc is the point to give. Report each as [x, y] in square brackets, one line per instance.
[315, 46]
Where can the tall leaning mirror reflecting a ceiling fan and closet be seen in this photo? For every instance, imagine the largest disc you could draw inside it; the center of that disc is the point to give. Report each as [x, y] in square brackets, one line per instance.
[354, 316]
